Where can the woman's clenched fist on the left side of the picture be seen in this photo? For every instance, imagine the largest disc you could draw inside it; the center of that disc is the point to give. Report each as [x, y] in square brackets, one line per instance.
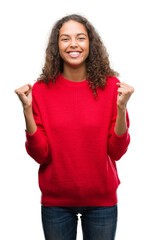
[25, 95]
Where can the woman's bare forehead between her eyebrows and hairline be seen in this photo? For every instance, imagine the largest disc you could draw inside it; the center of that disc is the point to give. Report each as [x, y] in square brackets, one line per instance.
[72, 27]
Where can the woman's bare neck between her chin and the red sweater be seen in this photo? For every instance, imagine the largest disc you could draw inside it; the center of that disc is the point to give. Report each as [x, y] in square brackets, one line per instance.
[75, 74]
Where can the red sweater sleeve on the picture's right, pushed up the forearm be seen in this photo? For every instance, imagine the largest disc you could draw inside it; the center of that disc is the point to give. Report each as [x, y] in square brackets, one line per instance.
[117, 145]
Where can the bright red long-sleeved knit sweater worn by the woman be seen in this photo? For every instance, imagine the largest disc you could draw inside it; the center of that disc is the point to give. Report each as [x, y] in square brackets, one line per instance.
[75, 143]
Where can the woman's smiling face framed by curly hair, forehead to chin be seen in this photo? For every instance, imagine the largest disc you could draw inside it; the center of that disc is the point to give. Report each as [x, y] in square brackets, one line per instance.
[73, 43]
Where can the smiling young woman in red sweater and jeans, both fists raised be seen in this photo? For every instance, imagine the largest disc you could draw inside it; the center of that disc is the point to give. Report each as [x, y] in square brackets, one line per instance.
[76, 129]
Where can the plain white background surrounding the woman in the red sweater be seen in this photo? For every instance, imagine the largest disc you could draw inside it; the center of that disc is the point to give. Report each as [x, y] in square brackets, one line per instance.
[25, 28]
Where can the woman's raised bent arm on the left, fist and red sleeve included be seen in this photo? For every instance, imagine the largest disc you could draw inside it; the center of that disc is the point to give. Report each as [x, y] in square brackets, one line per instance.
[36, 140]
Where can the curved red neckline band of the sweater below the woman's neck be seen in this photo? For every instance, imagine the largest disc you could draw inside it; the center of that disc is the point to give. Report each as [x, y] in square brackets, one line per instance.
[69, 83]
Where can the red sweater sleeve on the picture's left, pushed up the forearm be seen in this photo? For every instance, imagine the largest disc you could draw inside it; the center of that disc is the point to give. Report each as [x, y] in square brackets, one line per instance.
[37, 145]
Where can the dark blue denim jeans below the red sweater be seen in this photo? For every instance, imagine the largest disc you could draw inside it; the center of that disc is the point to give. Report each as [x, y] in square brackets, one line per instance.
[98, 223]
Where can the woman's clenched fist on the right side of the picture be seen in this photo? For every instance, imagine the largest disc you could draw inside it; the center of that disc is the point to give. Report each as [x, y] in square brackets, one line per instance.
[124, 93]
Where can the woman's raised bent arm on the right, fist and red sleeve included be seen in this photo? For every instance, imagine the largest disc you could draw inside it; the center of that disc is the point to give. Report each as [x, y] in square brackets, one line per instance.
[119, 137]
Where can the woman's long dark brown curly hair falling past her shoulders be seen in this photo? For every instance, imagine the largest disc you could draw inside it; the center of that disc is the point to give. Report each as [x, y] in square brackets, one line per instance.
[97, 62]
